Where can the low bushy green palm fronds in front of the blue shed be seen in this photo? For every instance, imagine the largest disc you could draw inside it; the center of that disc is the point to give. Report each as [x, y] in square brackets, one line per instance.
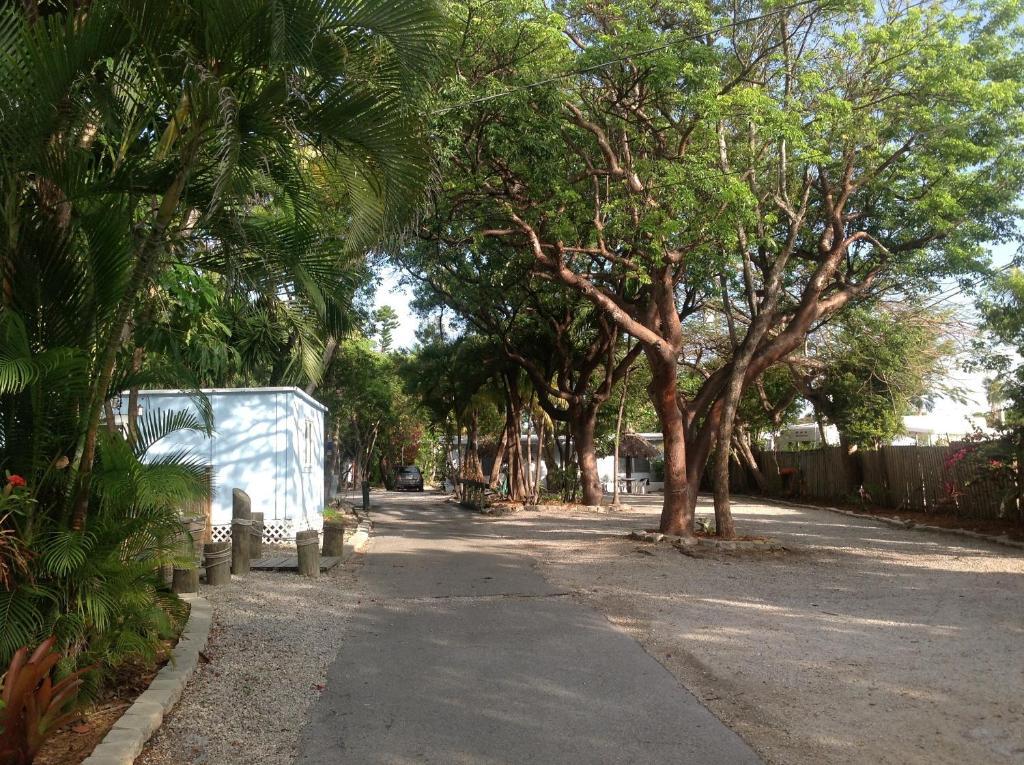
[100, 591]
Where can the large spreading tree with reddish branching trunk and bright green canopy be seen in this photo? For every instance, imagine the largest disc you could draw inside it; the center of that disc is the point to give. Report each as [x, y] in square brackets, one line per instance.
[779, 163]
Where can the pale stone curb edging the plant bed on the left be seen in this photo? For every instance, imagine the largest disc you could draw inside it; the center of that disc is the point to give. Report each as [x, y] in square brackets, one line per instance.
[125, 741]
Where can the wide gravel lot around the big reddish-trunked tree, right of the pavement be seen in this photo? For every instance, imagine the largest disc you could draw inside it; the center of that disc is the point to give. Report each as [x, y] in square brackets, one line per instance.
[863, 645]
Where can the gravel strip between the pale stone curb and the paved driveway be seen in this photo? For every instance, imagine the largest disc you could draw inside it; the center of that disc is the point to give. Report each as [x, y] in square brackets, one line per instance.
[273, 639]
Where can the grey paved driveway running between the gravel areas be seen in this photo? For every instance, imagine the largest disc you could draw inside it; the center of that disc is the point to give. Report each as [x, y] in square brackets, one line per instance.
[462, 654]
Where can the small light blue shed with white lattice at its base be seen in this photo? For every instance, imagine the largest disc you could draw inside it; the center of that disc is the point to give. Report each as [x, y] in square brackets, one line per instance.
[267, 442]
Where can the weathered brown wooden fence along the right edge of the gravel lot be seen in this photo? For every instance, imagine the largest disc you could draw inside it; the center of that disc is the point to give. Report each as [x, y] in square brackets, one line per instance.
[901, 478]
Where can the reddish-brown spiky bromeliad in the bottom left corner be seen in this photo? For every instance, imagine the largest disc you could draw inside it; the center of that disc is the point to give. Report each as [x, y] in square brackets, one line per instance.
[32, 706]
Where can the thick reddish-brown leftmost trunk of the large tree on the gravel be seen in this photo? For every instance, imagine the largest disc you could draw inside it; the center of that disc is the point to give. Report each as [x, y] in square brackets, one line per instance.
[680, 494]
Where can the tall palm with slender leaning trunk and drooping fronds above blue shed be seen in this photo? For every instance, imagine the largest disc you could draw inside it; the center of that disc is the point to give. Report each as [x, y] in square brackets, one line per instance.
[137, 136]
